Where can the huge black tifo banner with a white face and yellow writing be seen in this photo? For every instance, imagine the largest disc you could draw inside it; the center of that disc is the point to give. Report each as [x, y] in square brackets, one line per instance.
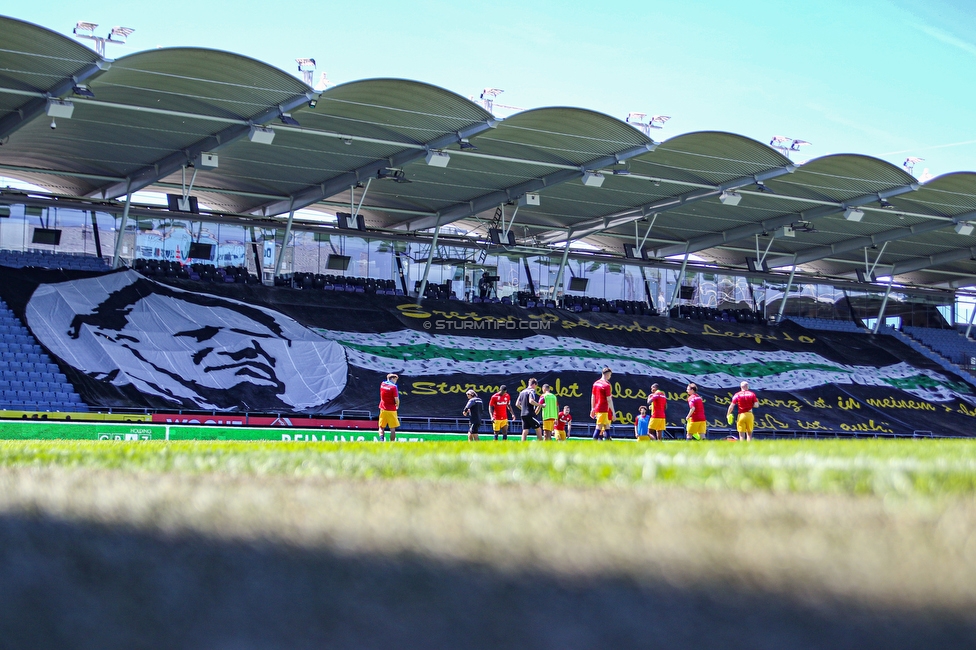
[127, 341]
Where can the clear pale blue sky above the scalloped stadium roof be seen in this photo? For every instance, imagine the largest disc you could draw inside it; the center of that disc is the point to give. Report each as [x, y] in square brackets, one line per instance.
[886, 78]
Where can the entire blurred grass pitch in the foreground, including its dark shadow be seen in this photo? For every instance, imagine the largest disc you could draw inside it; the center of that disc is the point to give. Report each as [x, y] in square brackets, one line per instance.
[572, 545]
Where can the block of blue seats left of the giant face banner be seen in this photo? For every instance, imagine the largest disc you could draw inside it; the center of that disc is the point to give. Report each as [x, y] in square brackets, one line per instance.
[28, 379]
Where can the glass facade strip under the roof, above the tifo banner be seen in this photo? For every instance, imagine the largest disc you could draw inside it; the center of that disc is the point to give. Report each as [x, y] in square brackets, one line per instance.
[29, 228]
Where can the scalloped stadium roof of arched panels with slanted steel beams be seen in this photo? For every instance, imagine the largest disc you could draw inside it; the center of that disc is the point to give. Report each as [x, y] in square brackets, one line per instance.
[138, 121]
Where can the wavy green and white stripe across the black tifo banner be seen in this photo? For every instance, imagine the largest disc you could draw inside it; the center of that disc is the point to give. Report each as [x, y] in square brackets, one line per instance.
[416, 354]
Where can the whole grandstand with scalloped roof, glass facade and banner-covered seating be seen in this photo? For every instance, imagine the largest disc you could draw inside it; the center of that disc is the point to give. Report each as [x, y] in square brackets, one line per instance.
[168, 198]
